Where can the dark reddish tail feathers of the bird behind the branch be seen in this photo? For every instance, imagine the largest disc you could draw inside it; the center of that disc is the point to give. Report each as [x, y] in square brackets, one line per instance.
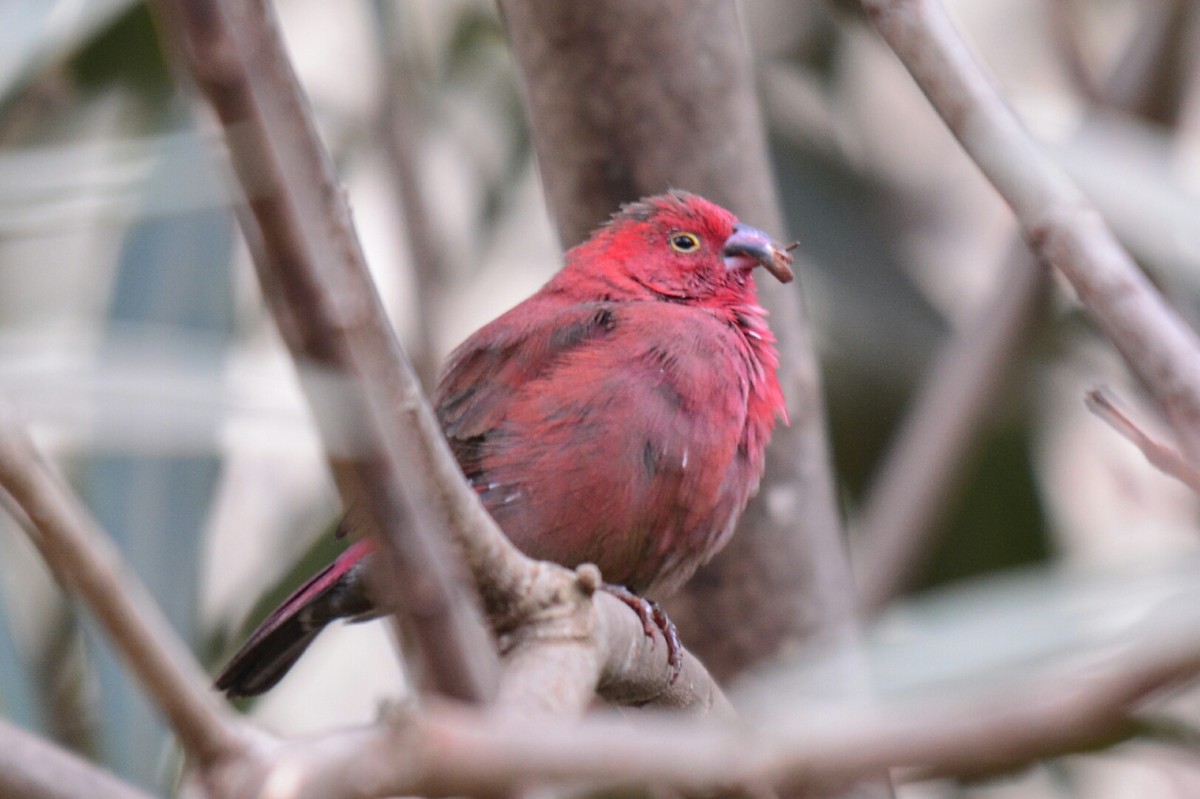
[337, 592]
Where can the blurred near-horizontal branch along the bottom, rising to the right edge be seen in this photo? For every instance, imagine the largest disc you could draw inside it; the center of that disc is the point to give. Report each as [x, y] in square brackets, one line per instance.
[453, 752]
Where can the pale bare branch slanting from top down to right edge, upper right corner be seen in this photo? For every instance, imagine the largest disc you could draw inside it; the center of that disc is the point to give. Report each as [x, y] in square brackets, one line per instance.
[1058, 221]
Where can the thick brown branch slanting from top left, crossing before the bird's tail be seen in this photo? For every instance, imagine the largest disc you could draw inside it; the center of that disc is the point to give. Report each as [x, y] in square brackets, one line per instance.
[405, 485]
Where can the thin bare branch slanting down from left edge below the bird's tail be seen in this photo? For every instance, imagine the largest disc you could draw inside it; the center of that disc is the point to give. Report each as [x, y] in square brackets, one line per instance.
[88, 564]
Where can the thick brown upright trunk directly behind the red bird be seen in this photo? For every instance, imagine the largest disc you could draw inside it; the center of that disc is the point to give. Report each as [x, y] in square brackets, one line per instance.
[628, 99]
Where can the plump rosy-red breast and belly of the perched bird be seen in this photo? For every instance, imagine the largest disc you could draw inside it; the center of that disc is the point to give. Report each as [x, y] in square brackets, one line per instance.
[631, 452]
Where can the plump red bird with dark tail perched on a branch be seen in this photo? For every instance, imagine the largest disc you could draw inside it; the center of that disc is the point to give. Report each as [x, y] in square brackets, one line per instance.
[617, 417]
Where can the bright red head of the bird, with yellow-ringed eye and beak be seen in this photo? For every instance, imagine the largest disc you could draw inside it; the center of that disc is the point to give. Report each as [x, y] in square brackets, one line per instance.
[680, 247]
